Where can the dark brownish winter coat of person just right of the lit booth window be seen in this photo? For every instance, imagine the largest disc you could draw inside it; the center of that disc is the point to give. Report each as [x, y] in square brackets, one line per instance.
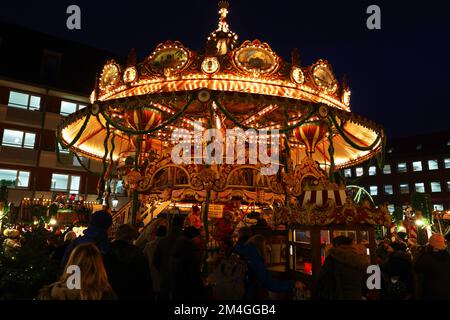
[342, 274]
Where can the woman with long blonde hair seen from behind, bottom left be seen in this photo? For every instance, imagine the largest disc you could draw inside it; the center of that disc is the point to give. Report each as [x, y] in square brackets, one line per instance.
[94, 284]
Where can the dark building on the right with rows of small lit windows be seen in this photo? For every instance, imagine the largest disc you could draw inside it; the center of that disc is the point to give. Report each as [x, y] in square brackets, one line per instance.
[414, 164]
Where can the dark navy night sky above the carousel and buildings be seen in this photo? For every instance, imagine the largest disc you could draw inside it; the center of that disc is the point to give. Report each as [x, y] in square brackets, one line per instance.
[399, 75]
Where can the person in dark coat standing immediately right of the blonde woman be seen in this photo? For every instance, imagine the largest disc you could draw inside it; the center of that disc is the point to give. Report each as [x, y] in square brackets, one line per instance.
[127, 268]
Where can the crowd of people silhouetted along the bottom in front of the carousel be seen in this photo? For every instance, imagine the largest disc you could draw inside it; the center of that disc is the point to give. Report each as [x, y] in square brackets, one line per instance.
[170, 263]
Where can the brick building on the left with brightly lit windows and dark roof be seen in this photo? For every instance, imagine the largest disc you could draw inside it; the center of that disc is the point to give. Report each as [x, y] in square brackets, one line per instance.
[42, 80]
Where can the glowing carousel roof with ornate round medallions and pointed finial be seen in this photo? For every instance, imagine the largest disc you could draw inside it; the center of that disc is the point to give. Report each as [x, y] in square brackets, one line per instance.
[251, 87]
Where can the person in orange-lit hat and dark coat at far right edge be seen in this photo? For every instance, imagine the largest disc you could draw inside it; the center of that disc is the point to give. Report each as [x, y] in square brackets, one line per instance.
[432, 270]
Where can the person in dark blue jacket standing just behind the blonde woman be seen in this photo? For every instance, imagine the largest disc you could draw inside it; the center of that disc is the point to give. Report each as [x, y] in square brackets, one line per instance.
[96, 233]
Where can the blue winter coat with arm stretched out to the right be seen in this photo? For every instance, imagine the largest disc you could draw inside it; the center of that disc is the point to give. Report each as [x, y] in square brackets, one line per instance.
[259, 278]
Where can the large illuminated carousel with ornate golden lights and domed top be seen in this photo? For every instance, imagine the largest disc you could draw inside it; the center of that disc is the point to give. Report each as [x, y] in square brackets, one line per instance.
[301, 114]
